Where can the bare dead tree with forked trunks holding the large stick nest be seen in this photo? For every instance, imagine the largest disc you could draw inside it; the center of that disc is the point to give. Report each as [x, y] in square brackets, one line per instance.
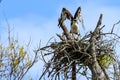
[94, 52]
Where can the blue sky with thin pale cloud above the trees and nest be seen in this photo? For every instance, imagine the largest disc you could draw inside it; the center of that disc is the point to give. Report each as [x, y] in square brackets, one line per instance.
[37, 19]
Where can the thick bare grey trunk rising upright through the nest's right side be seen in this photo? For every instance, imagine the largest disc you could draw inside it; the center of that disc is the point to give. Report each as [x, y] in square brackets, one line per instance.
[94, 66]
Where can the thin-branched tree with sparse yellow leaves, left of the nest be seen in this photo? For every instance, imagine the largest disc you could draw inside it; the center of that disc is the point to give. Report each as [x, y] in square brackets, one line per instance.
[15, 60]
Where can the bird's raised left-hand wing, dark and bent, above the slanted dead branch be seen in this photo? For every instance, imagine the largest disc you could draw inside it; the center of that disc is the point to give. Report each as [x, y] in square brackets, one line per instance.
[65, 14]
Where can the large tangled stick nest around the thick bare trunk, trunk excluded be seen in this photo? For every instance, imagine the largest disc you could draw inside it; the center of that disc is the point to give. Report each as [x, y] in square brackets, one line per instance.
[66, 53]
